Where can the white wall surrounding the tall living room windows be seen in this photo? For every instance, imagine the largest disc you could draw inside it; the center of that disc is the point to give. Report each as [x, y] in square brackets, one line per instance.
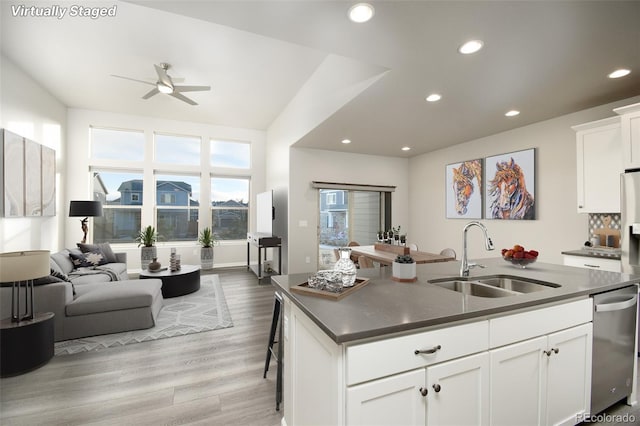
[226, 253]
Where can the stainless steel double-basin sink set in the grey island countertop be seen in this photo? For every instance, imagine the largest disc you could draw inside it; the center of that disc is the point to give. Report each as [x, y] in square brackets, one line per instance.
[493, 286]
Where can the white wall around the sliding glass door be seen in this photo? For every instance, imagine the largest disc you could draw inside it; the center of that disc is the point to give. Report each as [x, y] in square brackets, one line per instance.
[307, 165]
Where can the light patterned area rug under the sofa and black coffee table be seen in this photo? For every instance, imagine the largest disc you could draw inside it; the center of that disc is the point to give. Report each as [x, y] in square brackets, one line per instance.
[204, 310]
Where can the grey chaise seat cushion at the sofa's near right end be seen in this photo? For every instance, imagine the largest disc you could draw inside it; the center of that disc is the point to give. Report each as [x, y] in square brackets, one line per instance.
[114, 296]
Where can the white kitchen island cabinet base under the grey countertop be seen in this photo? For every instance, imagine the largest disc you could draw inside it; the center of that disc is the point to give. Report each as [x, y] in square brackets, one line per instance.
[531, 367]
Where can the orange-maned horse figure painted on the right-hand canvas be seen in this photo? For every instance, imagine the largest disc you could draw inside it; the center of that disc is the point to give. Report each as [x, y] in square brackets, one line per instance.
[508, 193]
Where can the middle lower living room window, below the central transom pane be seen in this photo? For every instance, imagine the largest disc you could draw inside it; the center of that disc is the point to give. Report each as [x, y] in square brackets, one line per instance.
[177, 203]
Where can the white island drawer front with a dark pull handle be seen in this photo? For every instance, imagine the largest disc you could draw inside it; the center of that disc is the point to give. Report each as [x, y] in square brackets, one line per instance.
[368, 361]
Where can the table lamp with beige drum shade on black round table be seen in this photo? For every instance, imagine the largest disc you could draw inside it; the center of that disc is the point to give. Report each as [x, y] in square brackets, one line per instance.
[21, 268]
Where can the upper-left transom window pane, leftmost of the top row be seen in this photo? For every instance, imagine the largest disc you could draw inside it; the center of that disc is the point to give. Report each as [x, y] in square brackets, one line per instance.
[110, 144]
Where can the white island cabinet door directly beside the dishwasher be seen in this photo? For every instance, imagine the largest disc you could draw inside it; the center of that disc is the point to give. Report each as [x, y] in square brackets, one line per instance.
[568, 375]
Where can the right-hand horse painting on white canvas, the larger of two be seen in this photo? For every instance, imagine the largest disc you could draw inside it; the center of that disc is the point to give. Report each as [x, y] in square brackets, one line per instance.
[510, 186]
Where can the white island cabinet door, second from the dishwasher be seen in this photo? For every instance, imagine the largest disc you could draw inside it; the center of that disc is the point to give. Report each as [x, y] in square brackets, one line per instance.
[517, 383]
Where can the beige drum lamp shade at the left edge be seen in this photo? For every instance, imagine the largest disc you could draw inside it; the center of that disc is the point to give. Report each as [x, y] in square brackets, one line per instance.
[24, 265]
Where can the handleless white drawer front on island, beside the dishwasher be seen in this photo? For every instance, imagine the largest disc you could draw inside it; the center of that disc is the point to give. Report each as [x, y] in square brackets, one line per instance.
[526, 325]
